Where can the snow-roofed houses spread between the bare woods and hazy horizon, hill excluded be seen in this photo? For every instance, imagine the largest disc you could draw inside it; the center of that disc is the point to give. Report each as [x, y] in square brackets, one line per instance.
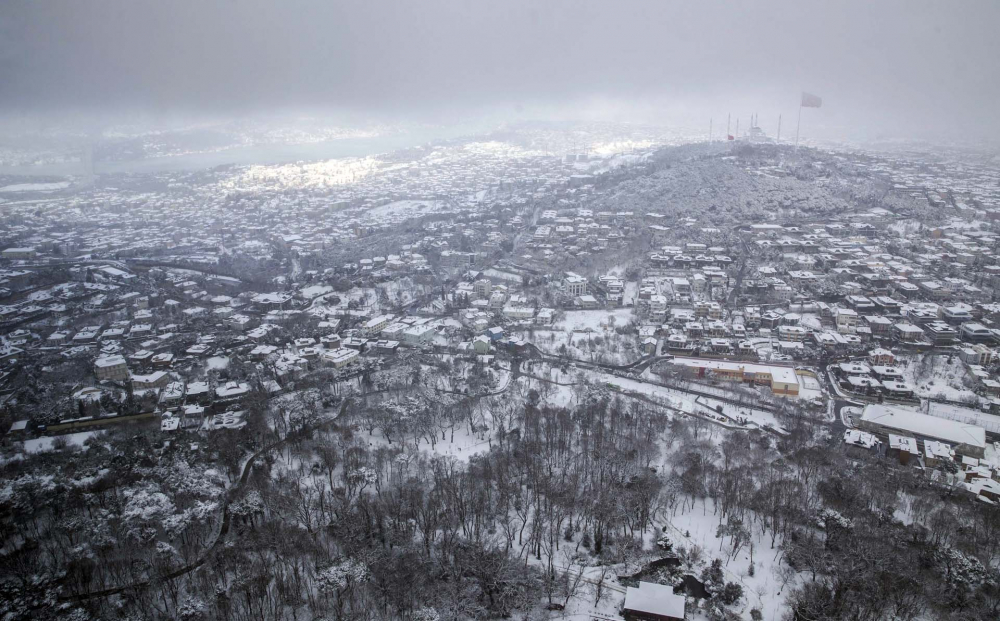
[168, 290]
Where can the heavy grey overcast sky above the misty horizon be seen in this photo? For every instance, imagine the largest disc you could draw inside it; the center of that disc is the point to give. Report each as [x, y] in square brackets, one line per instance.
[877, 62]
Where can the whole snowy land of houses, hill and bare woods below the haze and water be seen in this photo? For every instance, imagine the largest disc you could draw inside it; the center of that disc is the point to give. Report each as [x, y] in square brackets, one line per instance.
[612, 371]
